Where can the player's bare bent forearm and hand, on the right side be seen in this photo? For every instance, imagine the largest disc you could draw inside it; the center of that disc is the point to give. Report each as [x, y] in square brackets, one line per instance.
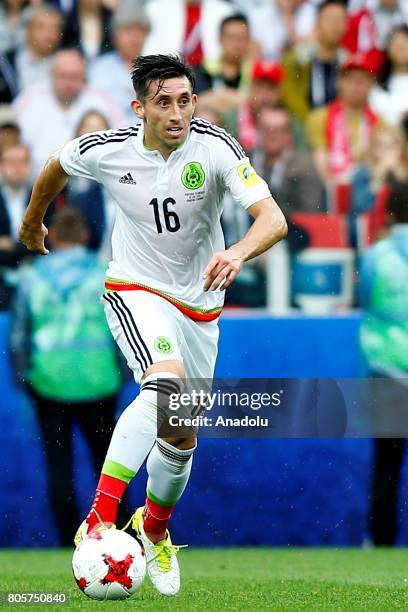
[268, 228]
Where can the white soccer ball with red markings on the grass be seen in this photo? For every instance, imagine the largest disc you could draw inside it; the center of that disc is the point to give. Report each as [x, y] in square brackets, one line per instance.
[109, 565]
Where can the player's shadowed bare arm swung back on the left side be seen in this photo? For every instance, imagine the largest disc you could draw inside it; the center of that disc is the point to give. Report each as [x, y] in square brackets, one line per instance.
[49, 184]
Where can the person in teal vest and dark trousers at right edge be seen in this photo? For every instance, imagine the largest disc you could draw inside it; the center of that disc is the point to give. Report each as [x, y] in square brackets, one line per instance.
[384, 342]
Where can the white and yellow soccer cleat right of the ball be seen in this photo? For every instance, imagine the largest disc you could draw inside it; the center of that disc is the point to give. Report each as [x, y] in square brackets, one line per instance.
[162, 564]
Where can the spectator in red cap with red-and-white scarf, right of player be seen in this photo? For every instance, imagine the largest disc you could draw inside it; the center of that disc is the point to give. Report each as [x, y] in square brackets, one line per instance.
[340, 132]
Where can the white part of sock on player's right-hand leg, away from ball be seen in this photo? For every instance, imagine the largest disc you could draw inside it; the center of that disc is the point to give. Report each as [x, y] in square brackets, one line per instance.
[169, 470]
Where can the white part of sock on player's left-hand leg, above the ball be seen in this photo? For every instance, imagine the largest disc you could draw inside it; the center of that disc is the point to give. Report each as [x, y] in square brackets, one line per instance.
[136, 429]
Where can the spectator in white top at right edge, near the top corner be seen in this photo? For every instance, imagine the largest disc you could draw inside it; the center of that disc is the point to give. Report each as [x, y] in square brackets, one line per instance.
[391, 100]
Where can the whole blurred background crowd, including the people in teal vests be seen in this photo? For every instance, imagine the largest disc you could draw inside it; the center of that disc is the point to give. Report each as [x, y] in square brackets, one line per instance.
[316, 91]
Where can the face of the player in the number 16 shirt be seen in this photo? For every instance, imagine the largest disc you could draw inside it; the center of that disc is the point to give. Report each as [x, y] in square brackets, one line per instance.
[167, 113]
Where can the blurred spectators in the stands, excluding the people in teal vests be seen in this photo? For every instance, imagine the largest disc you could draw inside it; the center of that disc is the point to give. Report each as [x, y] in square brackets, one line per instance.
[315, 91]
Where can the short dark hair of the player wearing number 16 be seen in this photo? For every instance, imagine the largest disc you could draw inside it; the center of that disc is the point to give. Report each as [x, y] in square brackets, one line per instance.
[149, 68]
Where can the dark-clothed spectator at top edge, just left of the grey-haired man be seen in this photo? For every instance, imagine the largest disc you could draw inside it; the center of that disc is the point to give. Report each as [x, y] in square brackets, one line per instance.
[87, 28]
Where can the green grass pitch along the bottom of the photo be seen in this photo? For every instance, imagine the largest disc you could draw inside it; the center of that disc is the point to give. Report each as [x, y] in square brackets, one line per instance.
[234, 579]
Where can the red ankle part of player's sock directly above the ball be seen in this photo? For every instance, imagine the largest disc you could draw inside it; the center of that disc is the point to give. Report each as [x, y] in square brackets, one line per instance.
[106, 502]
